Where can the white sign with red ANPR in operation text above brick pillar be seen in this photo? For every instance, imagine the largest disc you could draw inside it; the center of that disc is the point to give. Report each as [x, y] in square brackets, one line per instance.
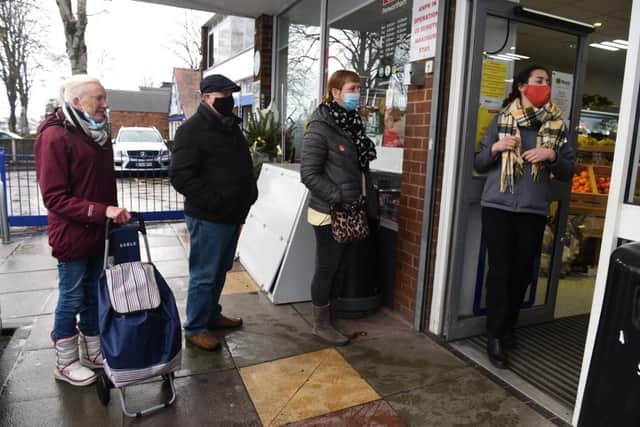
[424, 29]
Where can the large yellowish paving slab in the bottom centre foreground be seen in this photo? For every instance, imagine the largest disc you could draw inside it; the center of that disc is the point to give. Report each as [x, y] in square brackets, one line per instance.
[304, 386]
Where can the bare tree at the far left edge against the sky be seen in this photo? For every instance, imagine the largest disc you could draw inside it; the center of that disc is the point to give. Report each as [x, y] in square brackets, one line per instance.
[19, 46]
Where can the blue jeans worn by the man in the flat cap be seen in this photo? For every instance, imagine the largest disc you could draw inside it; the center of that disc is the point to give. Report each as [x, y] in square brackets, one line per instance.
[213, 248]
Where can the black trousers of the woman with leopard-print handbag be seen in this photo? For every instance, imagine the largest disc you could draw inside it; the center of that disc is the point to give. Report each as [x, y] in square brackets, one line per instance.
[330, 256]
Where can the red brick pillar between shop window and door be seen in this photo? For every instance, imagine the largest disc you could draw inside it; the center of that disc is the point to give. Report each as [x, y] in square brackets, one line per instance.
[412, 190]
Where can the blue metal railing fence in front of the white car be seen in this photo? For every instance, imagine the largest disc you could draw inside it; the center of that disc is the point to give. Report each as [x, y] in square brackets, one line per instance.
[140, 189]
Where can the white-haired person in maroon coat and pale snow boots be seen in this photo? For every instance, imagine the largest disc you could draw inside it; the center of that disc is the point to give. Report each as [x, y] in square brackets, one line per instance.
[74, 163]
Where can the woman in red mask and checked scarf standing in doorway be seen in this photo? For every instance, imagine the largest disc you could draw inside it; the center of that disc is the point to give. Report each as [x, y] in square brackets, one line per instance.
[524, 147]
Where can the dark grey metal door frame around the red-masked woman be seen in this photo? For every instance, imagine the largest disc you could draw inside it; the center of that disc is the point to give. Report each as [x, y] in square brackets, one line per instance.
[456, 327]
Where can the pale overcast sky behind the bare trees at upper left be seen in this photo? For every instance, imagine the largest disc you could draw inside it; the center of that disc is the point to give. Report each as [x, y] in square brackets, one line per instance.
[129, 44]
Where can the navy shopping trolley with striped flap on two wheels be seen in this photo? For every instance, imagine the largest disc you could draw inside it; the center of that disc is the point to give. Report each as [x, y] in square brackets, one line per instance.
[140, 332]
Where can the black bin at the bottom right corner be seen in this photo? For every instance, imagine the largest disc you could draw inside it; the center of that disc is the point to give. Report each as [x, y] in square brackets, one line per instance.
[612, 393]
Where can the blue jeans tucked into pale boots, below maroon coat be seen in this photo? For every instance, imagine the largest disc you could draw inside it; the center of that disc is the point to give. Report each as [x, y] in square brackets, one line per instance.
[77, 295]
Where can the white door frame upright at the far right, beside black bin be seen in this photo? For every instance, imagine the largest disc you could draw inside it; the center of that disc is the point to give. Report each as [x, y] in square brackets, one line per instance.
[621, 219]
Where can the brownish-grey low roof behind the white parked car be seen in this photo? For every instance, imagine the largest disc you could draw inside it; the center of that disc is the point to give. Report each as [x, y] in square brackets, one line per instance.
[145, 100]
